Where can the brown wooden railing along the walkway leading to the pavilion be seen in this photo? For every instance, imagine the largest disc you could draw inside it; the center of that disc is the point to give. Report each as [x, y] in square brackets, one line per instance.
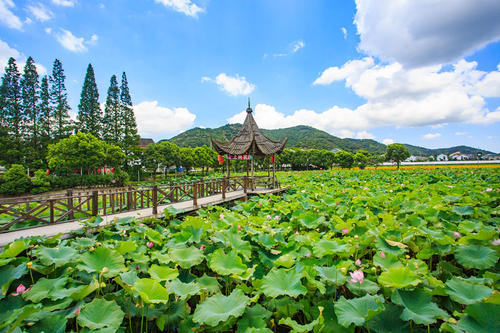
[24, 212]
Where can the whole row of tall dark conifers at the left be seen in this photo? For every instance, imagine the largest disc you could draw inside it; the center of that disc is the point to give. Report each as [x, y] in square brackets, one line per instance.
[34, 113]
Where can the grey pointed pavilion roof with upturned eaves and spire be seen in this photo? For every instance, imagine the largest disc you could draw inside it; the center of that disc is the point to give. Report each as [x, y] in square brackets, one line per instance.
[249, 140]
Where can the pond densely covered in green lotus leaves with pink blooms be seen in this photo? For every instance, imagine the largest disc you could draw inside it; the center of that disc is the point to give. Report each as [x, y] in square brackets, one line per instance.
[341, 251]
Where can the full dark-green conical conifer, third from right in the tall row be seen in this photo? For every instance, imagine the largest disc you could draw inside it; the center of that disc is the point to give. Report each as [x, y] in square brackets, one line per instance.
[89, 110]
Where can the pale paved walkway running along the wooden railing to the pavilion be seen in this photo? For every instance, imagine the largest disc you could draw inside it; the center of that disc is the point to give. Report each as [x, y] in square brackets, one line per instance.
[66, 228]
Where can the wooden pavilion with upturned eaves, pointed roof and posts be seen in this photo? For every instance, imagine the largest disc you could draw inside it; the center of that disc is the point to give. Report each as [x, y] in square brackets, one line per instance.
[248, 144]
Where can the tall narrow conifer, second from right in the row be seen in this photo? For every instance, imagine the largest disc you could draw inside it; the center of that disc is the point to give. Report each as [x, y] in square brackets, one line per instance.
[112, 121]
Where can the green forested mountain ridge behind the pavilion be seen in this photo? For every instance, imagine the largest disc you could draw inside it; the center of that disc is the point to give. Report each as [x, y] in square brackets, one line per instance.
[306, 137]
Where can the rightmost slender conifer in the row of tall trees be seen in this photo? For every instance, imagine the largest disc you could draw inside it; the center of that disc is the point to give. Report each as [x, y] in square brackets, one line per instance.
[130, 137]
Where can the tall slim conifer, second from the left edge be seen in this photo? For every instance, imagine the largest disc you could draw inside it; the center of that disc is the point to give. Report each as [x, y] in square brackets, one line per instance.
[29, 89]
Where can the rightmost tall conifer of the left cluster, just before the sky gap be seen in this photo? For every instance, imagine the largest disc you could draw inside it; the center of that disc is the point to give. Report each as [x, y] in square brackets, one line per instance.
[59, 101]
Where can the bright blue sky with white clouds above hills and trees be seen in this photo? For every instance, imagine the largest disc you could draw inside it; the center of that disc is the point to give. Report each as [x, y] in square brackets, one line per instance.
[425, 73]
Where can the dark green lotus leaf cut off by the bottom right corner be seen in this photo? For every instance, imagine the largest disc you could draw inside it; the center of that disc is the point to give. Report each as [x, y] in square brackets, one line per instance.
[481, 317]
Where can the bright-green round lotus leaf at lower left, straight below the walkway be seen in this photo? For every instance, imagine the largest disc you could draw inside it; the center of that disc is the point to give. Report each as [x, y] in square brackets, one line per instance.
[104, 261]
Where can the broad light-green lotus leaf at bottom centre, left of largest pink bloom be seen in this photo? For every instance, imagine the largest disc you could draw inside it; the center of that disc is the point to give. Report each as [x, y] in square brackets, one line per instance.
[283, 282]
